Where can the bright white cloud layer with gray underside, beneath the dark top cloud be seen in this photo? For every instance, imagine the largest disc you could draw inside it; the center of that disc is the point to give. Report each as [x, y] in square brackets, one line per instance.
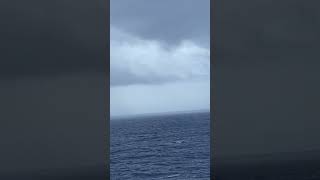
[135, 60]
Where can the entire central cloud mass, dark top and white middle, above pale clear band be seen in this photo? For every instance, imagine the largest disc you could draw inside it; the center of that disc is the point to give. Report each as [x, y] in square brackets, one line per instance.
[159, 41]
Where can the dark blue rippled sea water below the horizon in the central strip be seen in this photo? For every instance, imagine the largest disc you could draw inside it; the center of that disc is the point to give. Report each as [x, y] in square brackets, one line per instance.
[161, 147]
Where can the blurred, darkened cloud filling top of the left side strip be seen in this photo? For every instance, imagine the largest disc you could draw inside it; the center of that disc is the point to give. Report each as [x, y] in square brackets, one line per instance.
[52, 37]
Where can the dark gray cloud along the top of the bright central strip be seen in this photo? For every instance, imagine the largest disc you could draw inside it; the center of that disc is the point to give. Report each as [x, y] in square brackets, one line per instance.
[168, 20]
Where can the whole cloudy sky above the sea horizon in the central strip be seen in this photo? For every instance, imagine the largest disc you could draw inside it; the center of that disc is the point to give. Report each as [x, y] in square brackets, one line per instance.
[159, 56]
